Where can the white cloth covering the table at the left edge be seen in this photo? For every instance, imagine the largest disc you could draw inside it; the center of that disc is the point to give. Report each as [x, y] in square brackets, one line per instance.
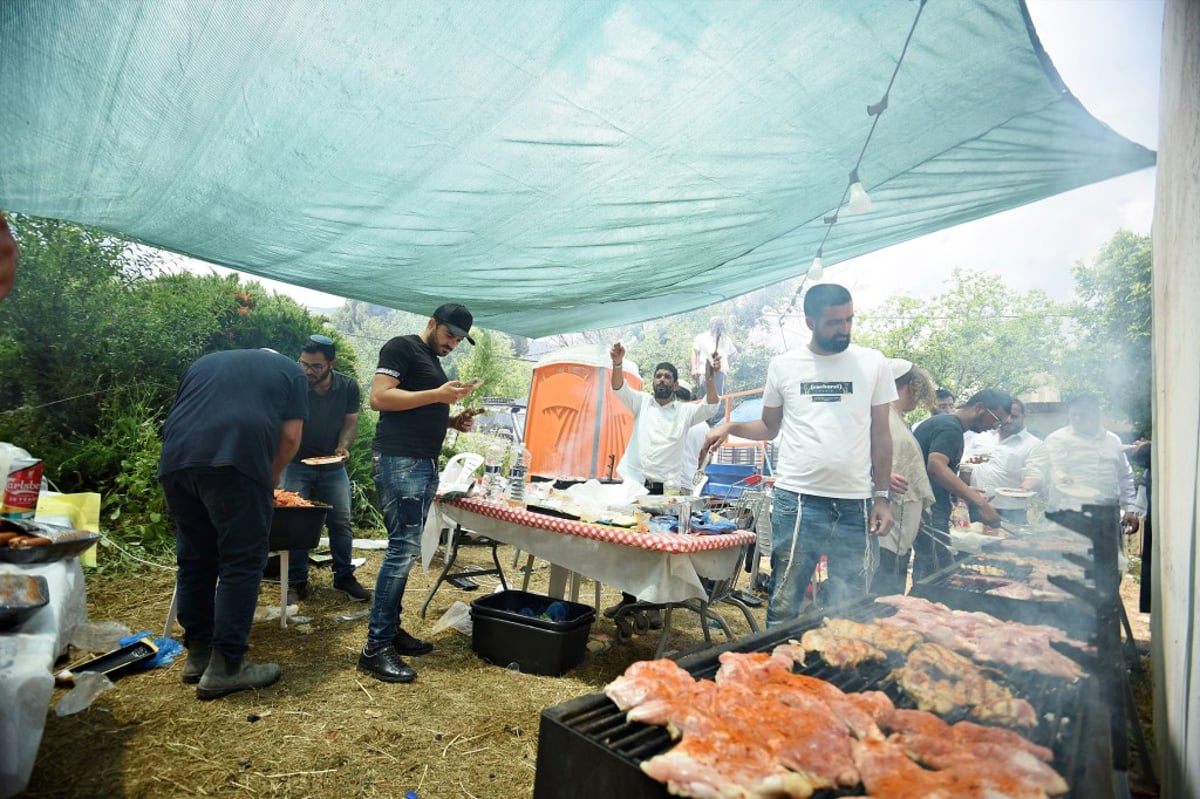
[27, 663]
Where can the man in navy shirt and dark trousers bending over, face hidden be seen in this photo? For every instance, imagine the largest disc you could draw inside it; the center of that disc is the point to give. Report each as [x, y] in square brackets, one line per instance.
[236, 424]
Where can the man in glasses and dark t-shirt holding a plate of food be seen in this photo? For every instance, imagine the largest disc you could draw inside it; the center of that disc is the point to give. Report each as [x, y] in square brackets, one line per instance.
[334, 402]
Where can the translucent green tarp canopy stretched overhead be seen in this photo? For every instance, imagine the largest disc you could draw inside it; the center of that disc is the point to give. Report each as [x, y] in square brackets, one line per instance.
[556, 166]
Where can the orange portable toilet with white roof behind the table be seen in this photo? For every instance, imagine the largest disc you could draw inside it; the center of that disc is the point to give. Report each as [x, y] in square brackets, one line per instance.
[577, 429]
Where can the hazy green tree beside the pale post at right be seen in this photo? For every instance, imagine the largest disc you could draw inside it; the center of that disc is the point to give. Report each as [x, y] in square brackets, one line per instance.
[1113, 310]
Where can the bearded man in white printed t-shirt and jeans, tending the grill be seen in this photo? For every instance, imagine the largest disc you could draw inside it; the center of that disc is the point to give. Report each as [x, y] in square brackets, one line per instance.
[831, 405]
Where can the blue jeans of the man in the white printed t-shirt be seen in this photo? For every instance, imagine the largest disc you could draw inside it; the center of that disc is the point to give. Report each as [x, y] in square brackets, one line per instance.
[835, 528]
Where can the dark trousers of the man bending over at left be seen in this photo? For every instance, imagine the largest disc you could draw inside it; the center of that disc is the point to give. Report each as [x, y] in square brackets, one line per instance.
[223, 526]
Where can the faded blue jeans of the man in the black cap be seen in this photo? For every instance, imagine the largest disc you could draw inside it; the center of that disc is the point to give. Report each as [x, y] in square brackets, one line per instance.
[406, 488]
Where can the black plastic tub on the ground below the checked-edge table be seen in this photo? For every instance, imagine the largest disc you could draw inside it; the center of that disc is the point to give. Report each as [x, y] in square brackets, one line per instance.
[511, 628]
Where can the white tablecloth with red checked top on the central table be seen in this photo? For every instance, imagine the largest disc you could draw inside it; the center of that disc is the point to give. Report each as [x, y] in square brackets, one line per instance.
[656, 569]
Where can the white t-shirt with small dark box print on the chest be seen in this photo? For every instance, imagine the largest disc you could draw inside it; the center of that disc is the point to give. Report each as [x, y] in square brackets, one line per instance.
[826, 432]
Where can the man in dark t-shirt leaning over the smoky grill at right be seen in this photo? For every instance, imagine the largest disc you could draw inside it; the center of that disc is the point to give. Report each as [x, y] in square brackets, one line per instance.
[941, 443]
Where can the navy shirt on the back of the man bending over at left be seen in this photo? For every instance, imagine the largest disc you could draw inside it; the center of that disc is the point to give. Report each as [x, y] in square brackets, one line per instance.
[230, 410]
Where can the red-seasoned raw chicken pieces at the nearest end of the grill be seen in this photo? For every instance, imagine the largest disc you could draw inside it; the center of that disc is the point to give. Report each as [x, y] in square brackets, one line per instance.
[763, 731]
